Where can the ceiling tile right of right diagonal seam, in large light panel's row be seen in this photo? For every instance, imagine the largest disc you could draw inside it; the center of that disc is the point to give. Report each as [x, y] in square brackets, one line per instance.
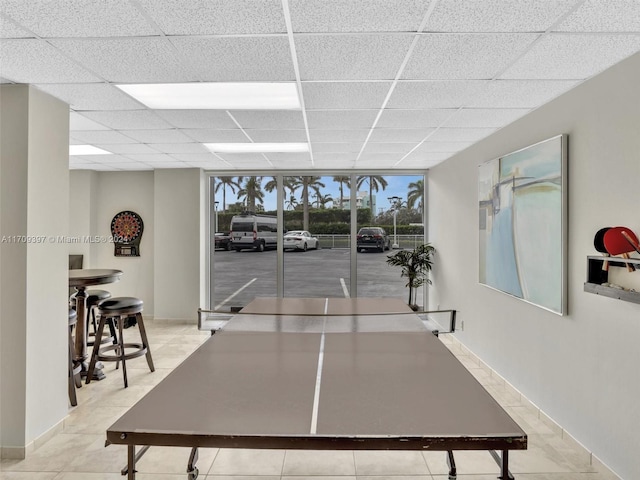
[433, 93]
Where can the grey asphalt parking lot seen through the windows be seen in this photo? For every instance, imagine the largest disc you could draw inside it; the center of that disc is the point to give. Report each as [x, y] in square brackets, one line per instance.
[241, 276]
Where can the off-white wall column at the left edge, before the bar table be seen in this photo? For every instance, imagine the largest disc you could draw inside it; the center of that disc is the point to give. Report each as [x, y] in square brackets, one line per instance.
[35, 204]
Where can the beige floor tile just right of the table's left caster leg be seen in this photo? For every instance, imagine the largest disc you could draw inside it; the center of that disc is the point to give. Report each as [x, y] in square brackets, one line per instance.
[238, 461]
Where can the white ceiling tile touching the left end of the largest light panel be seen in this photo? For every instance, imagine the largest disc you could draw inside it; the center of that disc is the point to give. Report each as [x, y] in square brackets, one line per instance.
[91, 96]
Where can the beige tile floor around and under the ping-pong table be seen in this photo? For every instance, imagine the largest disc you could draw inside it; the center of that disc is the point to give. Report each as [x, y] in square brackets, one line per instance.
[552, 455]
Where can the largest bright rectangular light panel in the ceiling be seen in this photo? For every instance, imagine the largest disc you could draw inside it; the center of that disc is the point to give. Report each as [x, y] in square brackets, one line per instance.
[227, 96]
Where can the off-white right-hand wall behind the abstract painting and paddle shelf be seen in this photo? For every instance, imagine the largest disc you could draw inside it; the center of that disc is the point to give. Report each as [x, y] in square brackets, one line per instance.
[580, 369]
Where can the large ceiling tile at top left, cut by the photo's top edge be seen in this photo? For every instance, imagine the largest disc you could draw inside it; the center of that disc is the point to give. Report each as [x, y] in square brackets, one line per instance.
[79, 18]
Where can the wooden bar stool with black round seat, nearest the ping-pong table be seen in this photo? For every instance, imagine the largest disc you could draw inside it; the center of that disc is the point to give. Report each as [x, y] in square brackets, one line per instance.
[119, 309]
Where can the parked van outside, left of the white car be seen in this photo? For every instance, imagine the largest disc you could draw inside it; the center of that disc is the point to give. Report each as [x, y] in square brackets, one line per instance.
[253, 231]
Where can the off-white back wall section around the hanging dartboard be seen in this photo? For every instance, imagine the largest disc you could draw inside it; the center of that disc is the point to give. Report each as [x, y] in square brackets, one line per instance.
[169, 274]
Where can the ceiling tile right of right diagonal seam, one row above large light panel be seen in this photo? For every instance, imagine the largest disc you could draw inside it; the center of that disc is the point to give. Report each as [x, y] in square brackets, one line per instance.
[464, 56]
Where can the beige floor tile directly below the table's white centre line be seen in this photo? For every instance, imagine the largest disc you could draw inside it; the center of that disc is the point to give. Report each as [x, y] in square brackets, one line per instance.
[325, 462]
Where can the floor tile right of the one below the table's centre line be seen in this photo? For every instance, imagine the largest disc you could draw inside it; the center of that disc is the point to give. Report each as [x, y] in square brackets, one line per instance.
[390, 463]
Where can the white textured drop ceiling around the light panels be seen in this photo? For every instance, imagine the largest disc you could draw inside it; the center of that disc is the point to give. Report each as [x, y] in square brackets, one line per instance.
[383, 84]
